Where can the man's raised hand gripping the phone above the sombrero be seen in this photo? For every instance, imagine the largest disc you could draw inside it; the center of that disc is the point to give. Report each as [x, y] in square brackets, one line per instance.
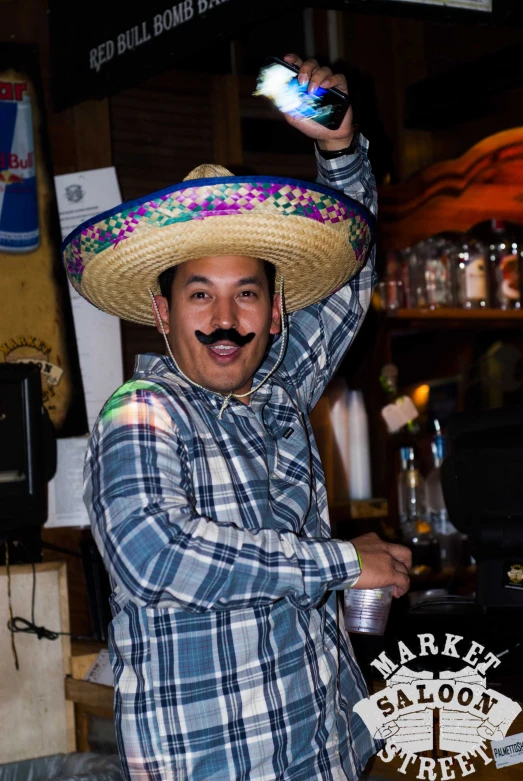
[311, 72]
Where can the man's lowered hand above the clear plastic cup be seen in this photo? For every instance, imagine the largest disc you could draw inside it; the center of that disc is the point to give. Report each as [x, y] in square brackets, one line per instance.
[383, 564]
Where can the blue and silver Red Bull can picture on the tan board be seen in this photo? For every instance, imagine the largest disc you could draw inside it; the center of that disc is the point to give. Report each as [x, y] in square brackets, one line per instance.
[18, 196]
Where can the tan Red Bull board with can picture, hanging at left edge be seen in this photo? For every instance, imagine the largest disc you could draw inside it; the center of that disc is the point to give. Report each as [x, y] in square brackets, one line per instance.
[36, 324]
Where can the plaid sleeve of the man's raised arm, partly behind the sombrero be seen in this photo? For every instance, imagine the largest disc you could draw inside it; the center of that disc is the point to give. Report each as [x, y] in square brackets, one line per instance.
[320, 335]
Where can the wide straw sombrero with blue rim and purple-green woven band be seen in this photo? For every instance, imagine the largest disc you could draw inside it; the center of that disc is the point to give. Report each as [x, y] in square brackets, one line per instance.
[316, 237]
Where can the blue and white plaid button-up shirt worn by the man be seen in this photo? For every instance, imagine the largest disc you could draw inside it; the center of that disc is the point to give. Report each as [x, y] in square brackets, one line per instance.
[230, 656]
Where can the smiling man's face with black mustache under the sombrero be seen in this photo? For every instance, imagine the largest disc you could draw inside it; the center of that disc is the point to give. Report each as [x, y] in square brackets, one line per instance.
[227, 292]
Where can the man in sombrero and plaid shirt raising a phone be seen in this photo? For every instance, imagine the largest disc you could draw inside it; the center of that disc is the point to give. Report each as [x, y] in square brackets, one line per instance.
[203, 480]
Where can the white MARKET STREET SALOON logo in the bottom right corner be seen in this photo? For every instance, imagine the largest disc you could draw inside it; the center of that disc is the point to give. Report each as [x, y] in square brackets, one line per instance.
[469, 713]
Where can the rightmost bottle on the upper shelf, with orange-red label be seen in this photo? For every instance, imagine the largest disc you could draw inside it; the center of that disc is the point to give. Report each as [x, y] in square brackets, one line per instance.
[505, 268]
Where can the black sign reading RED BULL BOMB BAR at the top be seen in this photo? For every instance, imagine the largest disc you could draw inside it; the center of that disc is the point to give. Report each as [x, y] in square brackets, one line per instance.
[120, 44]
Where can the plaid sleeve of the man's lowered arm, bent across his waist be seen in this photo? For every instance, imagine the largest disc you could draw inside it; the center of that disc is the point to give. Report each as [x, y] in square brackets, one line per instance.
[157, 547]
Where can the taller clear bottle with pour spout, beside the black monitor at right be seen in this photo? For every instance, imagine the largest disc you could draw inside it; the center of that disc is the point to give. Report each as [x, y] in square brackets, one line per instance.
[449, 538]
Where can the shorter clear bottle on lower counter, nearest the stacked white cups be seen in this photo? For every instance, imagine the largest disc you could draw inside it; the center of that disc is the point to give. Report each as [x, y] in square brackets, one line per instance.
[415, 530]
